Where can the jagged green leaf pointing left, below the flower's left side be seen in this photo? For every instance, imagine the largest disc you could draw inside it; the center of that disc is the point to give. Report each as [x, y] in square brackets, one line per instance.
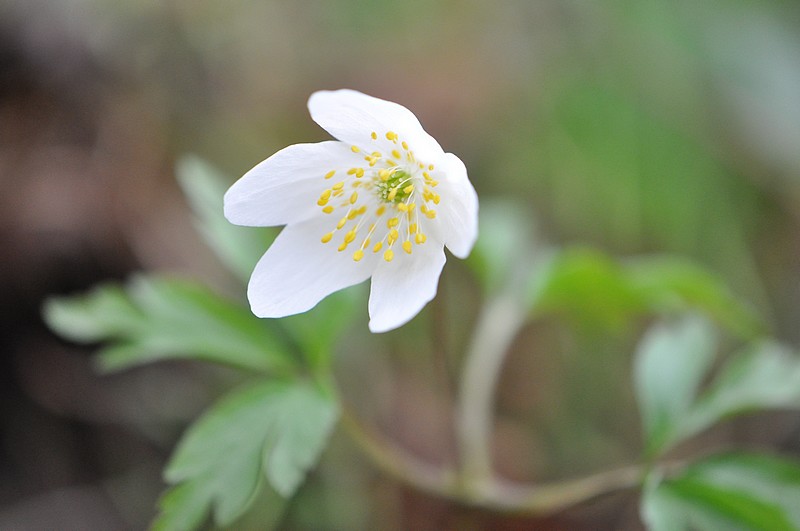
[158, 318]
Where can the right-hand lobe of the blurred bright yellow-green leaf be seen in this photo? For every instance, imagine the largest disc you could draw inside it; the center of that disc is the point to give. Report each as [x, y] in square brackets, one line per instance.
[672, 284]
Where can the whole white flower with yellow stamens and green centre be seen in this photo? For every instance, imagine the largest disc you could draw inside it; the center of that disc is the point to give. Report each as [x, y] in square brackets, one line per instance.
[380, 202]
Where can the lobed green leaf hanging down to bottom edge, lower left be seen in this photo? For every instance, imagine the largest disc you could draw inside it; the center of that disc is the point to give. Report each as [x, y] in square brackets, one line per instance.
[275, 428]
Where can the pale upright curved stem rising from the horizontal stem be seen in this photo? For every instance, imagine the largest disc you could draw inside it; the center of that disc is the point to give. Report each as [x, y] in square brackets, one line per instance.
[497, 326]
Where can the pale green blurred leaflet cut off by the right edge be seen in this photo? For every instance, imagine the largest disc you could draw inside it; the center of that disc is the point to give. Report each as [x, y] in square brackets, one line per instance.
[764, 376]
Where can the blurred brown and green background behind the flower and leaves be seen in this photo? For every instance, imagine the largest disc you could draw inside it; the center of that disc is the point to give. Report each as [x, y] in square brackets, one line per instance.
[635, 127]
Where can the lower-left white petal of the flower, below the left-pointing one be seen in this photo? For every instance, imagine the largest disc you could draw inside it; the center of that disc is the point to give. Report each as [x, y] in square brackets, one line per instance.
[298, 270]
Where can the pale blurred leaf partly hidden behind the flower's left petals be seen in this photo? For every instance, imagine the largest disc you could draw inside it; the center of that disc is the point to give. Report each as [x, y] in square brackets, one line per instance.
[239, 248]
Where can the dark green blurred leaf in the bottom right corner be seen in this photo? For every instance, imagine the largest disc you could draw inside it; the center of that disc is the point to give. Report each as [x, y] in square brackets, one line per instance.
[727, 492]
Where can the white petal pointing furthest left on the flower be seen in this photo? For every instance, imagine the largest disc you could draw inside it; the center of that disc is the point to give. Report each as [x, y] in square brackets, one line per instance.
[285, 188]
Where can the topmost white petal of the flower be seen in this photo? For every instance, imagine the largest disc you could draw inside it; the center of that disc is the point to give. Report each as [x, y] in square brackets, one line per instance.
[352, 116]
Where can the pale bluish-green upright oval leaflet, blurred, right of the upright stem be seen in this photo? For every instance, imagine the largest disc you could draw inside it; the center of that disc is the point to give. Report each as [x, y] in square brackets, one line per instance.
[669, 366]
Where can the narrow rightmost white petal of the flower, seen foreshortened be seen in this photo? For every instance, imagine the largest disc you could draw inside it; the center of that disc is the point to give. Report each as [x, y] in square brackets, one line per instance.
[458, 210]
